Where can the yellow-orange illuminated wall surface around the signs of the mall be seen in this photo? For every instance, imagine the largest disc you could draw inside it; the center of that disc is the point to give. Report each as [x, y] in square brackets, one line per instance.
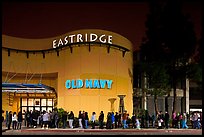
[80, 64]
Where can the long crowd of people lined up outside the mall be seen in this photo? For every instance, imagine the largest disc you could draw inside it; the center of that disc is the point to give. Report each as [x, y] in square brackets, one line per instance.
[51, 119]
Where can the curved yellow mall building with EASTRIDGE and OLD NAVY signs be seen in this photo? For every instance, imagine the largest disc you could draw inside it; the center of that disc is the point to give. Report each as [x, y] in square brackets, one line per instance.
[89, 69]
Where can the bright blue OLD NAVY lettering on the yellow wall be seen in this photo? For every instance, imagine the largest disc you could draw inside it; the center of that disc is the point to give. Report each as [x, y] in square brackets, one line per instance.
[89, 84]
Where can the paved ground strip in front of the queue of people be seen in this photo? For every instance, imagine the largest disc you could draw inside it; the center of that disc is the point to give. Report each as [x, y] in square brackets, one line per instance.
[77, 131]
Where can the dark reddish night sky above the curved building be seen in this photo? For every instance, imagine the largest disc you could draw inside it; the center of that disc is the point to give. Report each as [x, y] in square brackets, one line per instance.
[44, 20]
